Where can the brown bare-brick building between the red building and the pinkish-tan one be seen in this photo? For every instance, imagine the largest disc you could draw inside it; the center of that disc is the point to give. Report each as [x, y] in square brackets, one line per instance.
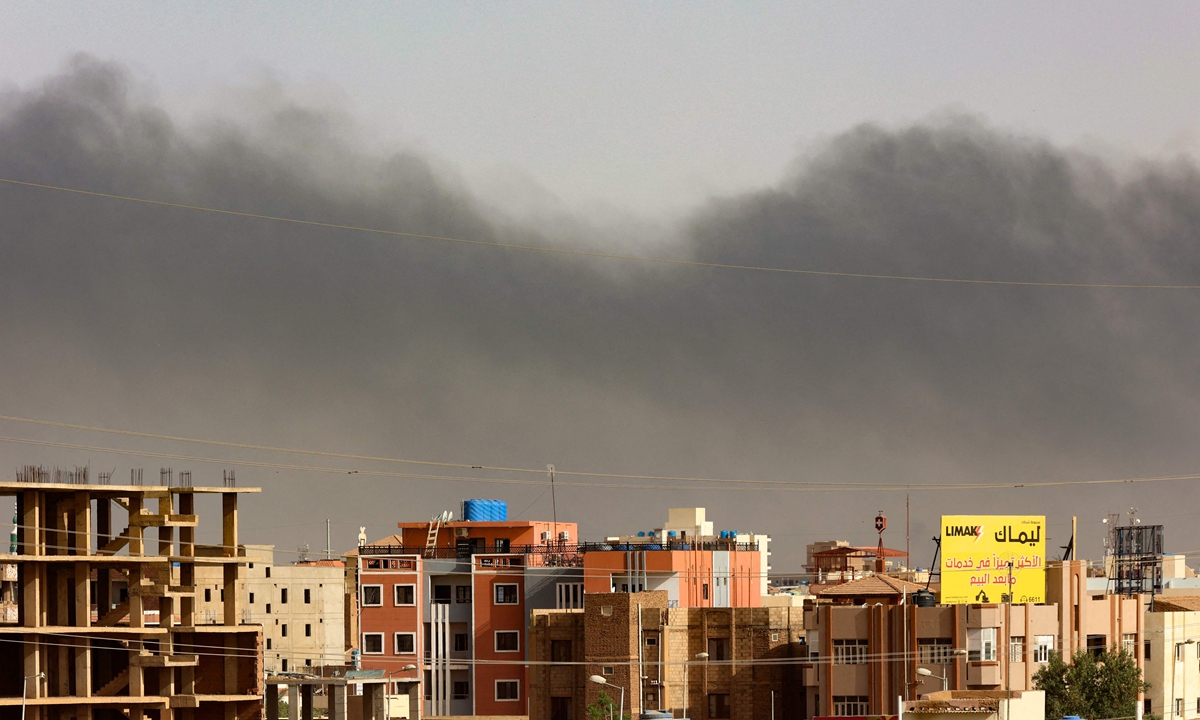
[638, 643]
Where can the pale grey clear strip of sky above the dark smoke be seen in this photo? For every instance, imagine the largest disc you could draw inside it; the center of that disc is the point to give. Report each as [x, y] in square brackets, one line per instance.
[652, 106]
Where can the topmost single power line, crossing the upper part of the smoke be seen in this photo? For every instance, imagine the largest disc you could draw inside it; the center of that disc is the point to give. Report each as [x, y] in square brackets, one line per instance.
[607, 256]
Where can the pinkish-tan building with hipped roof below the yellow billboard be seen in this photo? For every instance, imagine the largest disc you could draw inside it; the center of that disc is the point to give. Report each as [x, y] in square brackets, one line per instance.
[866, 656]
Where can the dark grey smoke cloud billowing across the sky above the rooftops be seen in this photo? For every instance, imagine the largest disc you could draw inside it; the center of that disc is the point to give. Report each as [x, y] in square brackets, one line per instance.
[196, 325]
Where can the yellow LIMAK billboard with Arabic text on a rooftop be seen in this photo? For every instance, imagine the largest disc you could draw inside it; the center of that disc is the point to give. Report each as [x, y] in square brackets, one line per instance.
[994, 559]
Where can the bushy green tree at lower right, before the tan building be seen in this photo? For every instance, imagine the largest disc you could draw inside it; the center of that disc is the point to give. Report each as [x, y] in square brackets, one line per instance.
[1105, 686]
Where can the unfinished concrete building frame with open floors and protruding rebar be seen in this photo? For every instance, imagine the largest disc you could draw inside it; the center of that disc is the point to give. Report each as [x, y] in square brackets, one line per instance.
[101, 623]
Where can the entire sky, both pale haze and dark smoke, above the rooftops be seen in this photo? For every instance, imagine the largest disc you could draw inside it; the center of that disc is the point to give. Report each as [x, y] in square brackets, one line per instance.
[1009, 143]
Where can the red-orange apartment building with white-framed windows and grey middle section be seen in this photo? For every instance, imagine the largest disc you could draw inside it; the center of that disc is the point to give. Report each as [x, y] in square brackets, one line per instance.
[453, 599]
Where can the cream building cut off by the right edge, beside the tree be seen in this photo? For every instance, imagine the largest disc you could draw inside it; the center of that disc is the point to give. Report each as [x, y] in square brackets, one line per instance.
[1173, 658]
